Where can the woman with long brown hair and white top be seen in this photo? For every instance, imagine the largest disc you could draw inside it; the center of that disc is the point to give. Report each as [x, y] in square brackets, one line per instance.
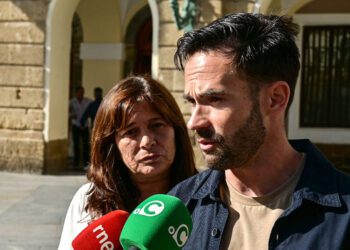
[140, 147]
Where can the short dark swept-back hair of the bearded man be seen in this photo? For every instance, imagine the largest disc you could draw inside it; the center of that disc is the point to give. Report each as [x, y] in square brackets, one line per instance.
[262, 47]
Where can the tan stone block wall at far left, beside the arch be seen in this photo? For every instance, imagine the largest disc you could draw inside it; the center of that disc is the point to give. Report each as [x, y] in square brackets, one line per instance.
[21, 85]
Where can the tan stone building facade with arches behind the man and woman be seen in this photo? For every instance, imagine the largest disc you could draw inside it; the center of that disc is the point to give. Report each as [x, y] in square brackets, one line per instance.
[40, 54]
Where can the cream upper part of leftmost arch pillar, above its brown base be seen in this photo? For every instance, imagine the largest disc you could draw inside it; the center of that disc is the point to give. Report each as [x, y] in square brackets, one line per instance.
[57, 51]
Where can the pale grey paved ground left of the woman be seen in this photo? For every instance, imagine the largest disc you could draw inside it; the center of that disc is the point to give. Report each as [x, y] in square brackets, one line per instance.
[32, 209]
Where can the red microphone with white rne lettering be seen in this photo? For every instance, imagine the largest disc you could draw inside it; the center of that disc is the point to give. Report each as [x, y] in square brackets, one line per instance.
[102, 233]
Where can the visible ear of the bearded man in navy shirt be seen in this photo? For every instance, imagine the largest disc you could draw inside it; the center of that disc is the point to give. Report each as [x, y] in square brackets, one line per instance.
[278, 96]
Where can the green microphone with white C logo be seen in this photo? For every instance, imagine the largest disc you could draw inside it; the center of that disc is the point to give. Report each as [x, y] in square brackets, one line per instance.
[159, 222]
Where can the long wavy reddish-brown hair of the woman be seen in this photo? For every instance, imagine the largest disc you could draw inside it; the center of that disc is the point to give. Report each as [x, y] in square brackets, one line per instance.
[113, 188]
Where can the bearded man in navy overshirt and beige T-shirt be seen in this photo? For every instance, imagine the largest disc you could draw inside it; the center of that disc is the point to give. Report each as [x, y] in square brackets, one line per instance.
[261, 191]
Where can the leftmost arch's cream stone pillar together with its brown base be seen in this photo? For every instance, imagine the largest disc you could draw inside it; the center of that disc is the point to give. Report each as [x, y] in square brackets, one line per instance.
[56, 82]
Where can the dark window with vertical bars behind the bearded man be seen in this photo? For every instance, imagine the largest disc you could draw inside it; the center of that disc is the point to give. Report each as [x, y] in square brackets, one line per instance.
[325, 77]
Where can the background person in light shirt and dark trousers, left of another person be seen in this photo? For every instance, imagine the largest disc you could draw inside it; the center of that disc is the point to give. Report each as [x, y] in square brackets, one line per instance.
[80, 131]
